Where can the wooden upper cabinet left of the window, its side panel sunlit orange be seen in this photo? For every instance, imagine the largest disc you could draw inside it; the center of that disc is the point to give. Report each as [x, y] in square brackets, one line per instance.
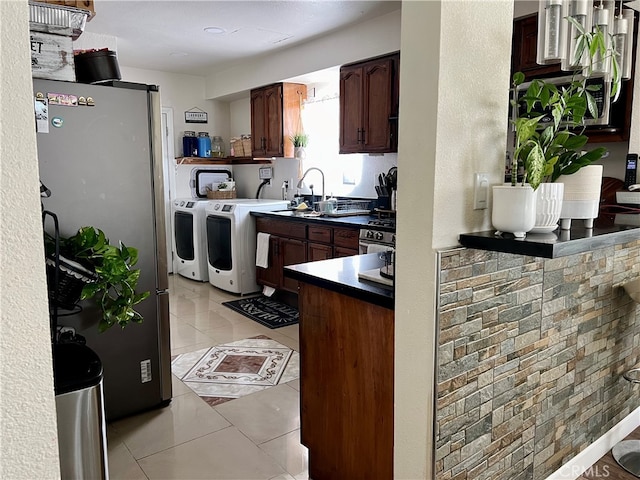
[275, 116]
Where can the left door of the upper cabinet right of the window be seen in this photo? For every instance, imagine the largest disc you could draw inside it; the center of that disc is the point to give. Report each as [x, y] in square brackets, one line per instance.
[351, 97]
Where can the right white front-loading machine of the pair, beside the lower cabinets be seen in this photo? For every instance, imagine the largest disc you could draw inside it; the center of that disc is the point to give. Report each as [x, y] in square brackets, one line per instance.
[231, 242]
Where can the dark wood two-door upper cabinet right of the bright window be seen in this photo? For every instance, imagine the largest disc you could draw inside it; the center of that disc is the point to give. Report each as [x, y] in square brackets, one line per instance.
[369, 97]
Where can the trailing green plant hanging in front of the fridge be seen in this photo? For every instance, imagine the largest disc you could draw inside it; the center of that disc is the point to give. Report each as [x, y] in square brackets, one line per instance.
[114, 289]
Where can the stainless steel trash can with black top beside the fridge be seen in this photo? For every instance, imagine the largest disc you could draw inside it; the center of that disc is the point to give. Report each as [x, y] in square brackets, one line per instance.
[82, 440]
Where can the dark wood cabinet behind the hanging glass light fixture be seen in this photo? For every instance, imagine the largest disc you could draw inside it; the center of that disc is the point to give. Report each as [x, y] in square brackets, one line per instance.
[523, 59]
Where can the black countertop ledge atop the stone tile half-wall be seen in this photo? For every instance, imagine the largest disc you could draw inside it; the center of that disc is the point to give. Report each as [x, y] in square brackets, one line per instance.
[559, 243]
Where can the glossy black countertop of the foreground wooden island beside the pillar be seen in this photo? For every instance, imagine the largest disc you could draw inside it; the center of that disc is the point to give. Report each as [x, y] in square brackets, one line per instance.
[341, 275]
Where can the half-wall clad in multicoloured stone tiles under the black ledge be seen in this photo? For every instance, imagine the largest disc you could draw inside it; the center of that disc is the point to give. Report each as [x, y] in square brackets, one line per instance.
[530, 357]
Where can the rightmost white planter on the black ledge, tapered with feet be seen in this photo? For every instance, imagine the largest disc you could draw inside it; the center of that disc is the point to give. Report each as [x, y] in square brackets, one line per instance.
[581, 196]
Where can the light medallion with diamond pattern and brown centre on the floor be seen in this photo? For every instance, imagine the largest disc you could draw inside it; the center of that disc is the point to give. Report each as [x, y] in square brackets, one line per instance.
[232, 370]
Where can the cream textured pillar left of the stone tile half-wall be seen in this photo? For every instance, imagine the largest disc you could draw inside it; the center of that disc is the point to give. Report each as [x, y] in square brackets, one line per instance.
[454, 78]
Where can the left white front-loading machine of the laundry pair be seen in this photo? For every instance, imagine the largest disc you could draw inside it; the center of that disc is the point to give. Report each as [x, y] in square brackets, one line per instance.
[190, 237]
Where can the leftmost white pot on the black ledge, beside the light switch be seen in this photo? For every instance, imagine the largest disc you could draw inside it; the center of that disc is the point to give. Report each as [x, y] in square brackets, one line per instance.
[514, 209]
